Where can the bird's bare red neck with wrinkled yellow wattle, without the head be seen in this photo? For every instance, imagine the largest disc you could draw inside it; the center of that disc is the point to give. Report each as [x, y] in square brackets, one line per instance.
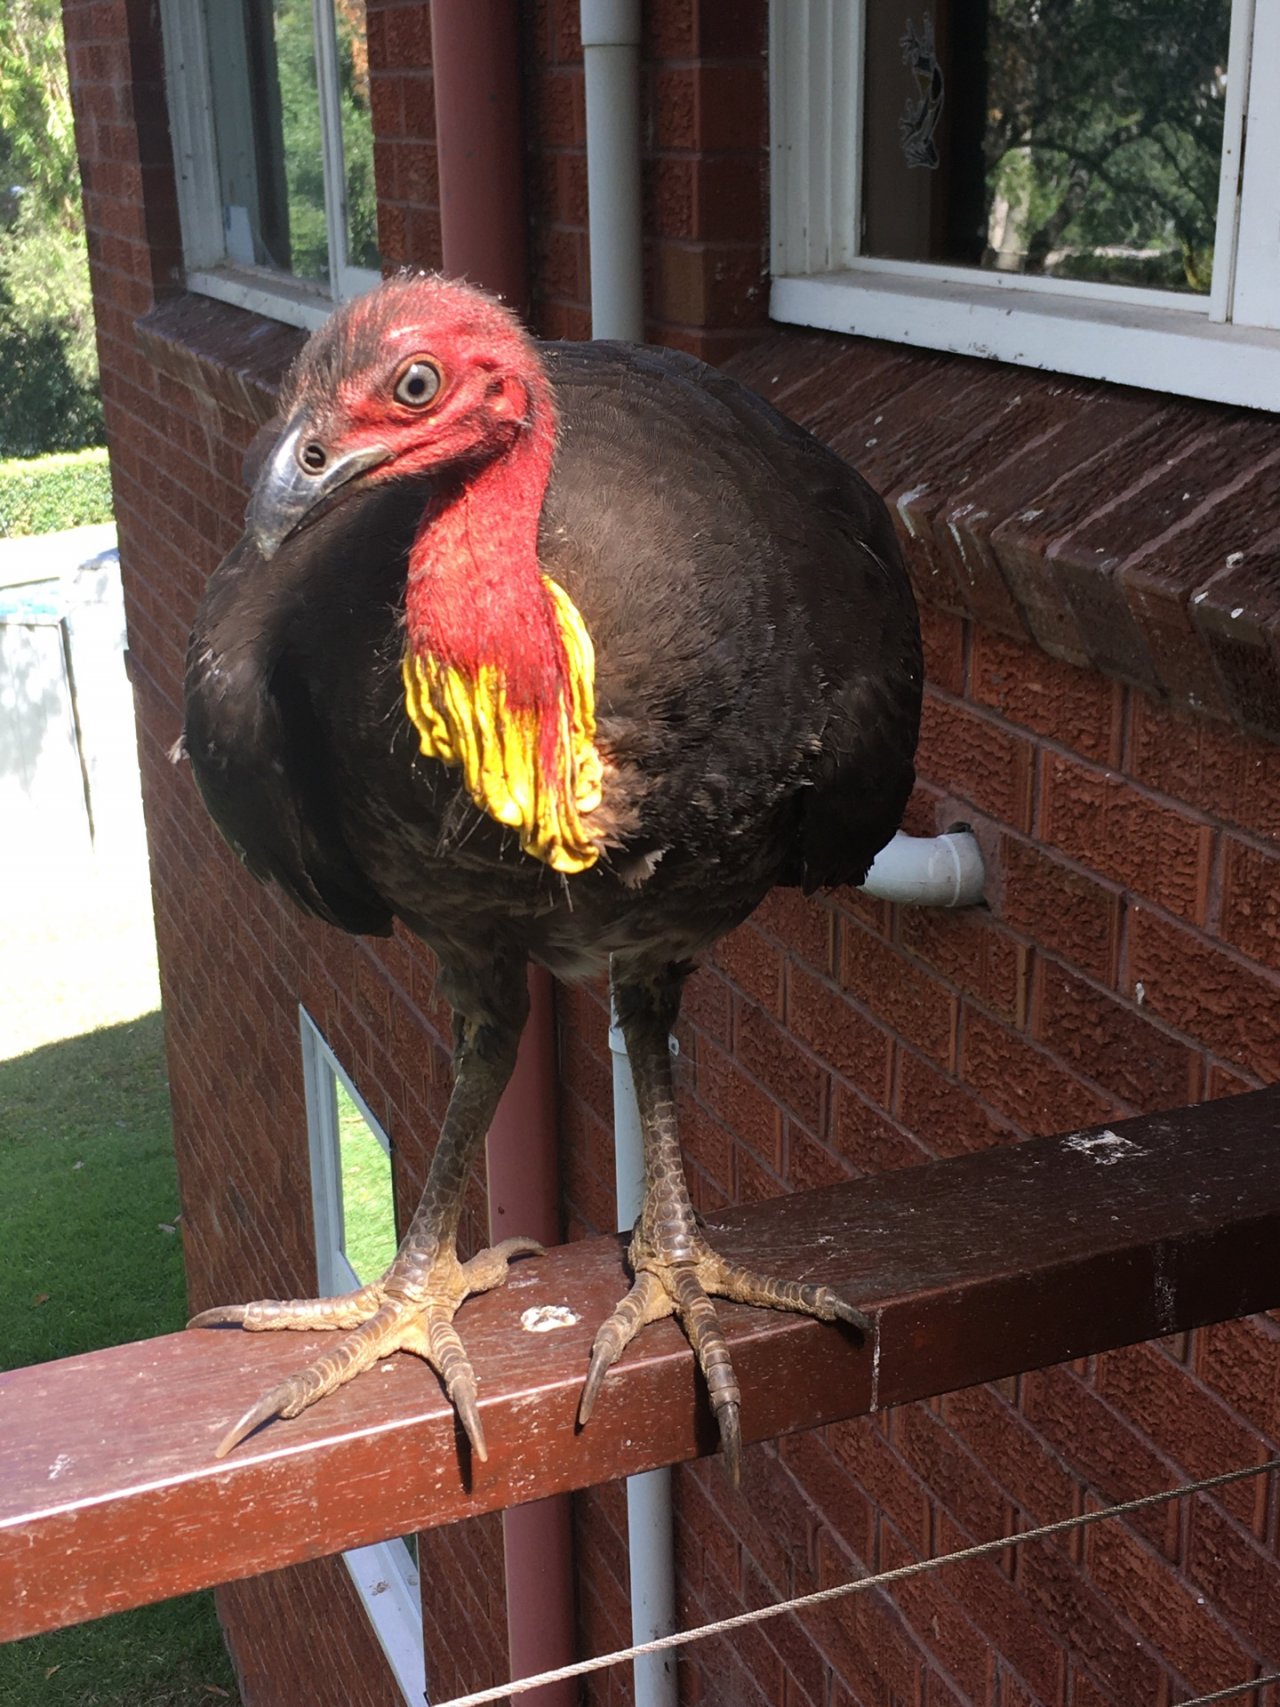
[499, 668]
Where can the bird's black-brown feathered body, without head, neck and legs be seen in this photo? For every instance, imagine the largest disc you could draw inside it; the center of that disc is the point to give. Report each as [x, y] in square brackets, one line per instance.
[757, 679]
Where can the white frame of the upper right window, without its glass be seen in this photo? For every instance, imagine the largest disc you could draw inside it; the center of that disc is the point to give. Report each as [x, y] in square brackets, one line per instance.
[1225, 346]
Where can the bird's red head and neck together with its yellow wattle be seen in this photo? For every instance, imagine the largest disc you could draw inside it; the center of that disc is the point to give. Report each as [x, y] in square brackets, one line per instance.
[428, 376]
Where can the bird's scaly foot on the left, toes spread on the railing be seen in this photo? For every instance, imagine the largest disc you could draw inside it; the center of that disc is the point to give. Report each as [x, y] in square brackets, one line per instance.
[381, 1319]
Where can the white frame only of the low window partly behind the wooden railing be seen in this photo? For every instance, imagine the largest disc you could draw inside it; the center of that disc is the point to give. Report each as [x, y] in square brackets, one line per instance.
[383, 1575]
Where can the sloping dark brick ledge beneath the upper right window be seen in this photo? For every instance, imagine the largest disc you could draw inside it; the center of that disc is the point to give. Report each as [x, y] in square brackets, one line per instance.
[1127, 532]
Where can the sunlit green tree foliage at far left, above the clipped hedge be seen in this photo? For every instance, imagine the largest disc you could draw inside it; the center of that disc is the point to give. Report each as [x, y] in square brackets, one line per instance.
[49, 363]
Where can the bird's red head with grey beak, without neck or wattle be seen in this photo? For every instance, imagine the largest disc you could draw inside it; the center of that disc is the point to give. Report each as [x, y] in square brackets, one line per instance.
[422, 375]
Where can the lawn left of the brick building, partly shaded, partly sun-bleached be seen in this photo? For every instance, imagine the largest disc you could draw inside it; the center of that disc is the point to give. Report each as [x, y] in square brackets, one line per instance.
[91, 1247]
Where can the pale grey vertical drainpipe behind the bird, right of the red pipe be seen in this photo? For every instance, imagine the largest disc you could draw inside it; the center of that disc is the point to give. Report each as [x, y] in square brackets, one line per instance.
[612, 61]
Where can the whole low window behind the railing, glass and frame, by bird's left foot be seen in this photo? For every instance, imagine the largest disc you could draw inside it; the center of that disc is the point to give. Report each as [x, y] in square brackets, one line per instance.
[356, 1238]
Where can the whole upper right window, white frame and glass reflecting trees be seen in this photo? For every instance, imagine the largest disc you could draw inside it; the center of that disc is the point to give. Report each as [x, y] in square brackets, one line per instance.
[1062, 184]
